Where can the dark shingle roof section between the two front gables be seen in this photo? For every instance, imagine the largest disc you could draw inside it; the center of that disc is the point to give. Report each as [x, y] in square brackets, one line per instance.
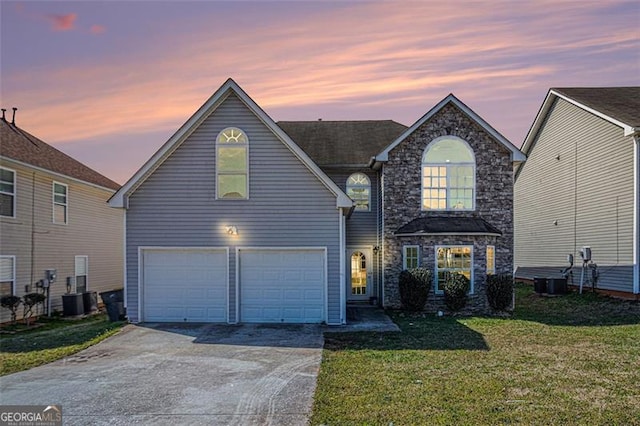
[342, 143]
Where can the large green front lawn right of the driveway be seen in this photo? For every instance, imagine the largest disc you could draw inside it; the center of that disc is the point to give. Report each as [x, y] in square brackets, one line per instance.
[573, 359]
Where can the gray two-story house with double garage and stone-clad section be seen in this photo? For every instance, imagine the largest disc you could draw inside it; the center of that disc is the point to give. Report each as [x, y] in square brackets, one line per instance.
[239, 219]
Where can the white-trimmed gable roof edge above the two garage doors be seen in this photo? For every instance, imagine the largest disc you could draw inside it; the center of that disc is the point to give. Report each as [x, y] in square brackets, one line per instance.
[119, 199]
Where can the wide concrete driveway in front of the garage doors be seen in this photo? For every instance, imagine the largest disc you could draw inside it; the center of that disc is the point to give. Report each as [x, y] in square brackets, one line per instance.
[181, 374]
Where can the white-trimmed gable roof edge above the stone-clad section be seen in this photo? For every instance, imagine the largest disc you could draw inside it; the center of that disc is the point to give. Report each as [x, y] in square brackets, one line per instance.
[516, 154]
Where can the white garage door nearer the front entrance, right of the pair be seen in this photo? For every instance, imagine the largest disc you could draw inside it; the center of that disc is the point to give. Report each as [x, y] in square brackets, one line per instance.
[283, 286]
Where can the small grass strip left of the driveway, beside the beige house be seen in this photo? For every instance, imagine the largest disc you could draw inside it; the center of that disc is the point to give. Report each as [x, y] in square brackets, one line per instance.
[53, 340]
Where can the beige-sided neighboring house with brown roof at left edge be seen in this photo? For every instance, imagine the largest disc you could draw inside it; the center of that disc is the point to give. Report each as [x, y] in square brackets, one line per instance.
[54, 215]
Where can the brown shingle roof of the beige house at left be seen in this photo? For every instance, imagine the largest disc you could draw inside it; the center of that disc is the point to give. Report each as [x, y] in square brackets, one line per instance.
[22, 147]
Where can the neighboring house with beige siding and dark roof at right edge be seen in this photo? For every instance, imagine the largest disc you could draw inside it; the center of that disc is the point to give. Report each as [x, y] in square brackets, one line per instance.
[581, 187]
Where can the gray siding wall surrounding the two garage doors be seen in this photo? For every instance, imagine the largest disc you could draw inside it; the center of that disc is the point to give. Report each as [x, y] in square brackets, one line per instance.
[287, 207]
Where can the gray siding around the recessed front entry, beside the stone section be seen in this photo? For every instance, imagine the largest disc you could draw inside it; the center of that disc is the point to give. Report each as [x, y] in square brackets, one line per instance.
[362, 227]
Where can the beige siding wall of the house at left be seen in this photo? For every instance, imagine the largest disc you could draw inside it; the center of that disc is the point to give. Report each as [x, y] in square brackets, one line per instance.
[93, 229]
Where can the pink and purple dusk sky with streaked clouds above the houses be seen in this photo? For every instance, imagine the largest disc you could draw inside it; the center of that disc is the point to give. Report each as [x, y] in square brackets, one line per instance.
[109, 82]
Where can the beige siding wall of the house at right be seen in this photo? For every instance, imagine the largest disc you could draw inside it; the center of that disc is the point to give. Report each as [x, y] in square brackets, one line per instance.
[579, 173]
